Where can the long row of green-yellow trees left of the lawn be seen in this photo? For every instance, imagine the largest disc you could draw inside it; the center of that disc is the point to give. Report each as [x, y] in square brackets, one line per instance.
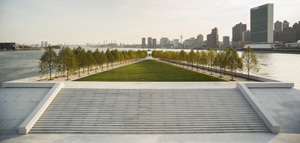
[71, 61]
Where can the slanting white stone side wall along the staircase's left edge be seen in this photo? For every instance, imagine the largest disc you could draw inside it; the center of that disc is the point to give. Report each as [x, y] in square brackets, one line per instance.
[26, 126]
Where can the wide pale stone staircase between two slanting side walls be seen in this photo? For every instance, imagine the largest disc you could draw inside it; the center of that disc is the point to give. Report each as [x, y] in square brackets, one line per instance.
[149, 111]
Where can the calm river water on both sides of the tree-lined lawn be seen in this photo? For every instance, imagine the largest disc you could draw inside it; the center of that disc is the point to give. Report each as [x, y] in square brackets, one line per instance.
[22, 64]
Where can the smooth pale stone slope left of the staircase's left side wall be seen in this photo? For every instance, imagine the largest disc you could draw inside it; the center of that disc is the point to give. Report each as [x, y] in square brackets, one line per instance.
[16, 104]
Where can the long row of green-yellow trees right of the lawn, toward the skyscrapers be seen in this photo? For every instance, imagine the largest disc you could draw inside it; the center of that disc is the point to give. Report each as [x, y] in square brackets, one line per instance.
[227, 59]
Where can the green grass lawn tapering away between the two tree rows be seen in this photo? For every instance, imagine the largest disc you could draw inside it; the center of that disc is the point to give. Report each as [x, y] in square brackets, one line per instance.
[149, 70]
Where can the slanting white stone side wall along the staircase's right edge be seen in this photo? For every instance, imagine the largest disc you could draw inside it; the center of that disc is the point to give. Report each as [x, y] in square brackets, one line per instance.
[259, 108]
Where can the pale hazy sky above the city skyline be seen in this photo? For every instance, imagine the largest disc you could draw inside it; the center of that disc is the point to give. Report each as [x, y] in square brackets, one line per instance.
[127, 21]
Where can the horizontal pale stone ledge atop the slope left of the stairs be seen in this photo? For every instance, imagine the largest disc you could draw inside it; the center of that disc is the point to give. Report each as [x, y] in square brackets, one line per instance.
[27, 84]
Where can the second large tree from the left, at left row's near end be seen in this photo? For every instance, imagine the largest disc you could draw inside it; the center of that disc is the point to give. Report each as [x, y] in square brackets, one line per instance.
[70, 61]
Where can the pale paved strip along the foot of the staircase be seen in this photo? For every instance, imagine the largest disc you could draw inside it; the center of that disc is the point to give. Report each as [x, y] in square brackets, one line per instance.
[154, 138]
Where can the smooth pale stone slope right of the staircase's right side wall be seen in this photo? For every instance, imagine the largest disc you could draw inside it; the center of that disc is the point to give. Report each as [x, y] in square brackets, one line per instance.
[283, 104]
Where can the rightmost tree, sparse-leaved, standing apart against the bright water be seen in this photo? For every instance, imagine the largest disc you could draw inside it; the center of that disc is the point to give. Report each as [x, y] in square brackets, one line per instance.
[250, 61]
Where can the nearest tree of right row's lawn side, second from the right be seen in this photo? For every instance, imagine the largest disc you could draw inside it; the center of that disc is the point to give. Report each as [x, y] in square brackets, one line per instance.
[232, 57]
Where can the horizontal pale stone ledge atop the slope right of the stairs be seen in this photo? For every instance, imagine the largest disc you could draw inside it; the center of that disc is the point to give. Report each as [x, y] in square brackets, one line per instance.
[270, 85]
